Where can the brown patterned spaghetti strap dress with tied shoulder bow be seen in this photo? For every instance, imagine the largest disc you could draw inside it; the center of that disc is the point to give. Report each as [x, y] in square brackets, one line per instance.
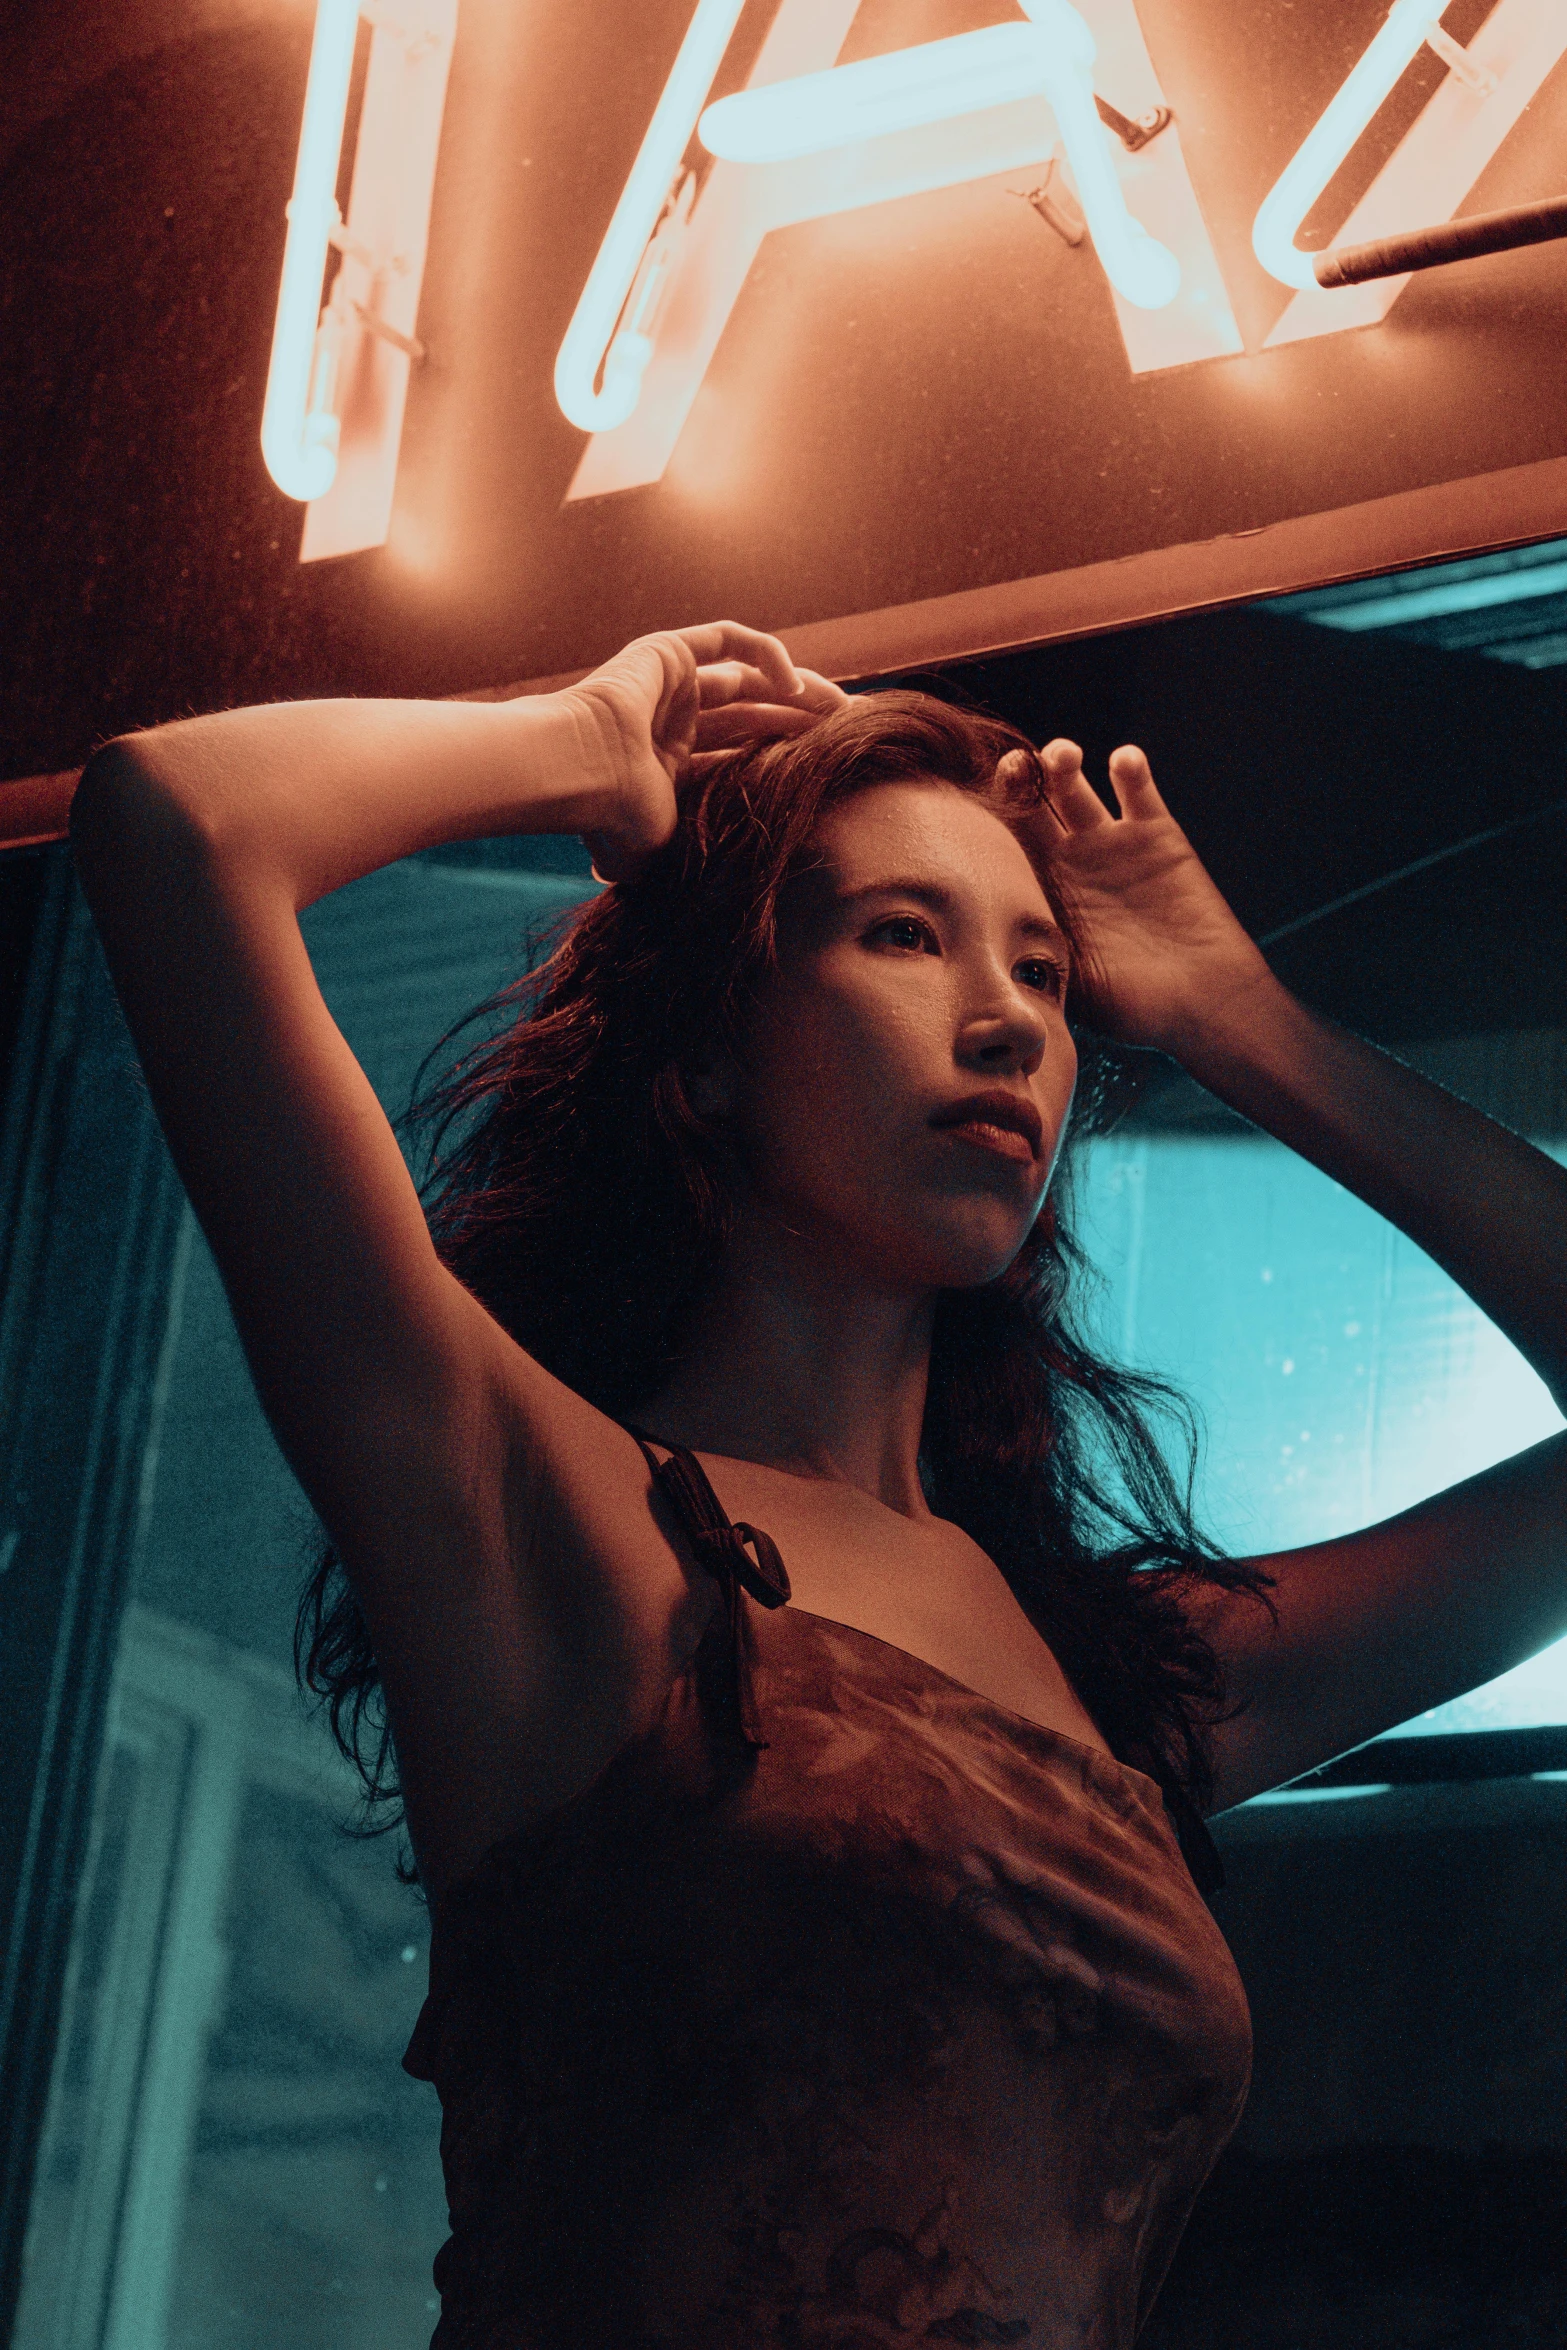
[845, 2010]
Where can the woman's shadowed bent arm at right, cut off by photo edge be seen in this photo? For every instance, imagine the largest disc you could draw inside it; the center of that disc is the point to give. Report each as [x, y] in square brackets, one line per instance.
[1394, 1618]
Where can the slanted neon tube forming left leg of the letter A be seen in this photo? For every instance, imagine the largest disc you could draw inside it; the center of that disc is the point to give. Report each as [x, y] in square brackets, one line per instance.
[591, 340]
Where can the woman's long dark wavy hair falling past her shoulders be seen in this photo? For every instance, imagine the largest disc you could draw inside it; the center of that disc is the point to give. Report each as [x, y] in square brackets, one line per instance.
[584, 1197]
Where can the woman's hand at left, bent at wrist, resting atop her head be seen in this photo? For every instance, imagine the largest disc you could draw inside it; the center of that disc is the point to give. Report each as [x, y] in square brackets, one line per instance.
[666, 709]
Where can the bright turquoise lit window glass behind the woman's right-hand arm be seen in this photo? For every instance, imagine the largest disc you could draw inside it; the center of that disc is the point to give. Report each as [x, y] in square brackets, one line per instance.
[1340, 1374]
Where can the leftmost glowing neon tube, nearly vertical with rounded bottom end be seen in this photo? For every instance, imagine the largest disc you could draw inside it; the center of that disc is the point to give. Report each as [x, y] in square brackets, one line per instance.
[300, 429]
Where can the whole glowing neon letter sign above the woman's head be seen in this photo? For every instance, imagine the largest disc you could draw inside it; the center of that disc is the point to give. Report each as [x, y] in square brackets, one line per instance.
[1065, 95]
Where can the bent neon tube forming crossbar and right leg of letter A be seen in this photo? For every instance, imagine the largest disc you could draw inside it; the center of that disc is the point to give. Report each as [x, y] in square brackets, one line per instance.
[936, 81]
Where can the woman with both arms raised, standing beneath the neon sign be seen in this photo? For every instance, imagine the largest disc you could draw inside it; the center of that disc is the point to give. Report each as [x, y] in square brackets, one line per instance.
[802, 1670]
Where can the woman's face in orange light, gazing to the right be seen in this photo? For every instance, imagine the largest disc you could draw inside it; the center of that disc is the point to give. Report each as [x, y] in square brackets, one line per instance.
[910, 1068]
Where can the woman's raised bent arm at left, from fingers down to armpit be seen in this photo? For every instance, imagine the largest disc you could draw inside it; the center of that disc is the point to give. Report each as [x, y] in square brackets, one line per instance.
[408, 1414]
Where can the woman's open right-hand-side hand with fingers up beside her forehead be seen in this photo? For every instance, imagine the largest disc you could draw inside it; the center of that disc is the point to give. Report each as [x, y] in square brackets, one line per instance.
[1164, 951]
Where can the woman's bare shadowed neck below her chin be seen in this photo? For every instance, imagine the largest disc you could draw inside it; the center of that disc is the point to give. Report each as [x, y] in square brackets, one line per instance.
[798, 1364]
